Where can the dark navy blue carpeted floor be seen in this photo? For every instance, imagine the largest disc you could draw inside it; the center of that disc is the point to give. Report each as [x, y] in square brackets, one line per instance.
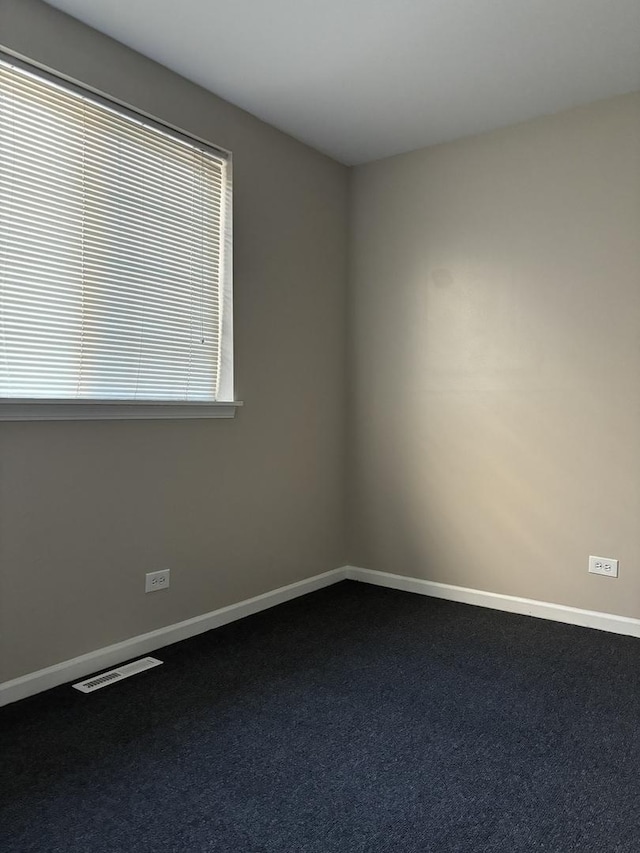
[354, 719]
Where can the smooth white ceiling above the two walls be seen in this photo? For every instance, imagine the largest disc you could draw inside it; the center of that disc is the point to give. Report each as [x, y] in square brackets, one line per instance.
[363, 79]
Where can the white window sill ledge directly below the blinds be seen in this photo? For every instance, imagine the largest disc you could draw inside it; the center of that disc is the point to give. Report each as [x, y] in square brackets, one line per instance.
[82, 410]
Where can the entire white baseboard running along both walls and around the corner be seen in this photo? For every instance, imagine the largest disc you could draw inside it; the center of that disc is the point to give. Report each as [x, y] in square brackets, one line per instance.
[77, 668]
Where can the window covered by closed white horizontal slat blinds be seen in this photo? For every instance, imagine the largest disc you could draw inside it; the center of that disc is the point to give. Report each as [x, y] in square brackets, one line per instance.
[115, 251]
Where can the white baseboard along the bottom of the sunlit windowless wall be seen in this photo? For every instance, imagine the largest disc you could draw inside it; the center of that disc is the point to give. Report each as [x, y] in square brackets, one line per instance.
[496, 601]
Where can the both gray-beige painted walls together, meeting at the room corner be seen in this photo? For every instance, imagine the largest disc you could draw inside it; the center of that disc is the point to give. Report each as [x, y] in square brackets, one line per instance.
[493, 406]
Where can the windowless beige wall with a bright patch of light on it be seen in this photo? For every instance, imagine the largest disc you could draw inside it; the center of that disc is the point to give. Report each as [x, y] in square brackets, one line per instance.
[494, 344]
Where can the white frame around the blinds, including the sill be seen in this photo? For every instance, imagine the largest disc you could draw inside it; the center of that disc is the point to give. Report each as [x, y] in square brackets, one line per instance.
[23, 409]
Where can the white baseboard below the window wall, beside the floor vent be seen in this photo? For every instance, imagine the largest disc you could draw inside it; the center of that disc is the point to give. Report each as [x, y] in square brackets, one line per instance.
[76, 668]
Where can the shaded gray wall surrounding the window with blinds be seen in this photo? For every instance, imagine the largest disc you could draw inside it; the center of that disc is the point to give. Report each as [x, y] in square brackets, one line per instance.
[234, 508]
